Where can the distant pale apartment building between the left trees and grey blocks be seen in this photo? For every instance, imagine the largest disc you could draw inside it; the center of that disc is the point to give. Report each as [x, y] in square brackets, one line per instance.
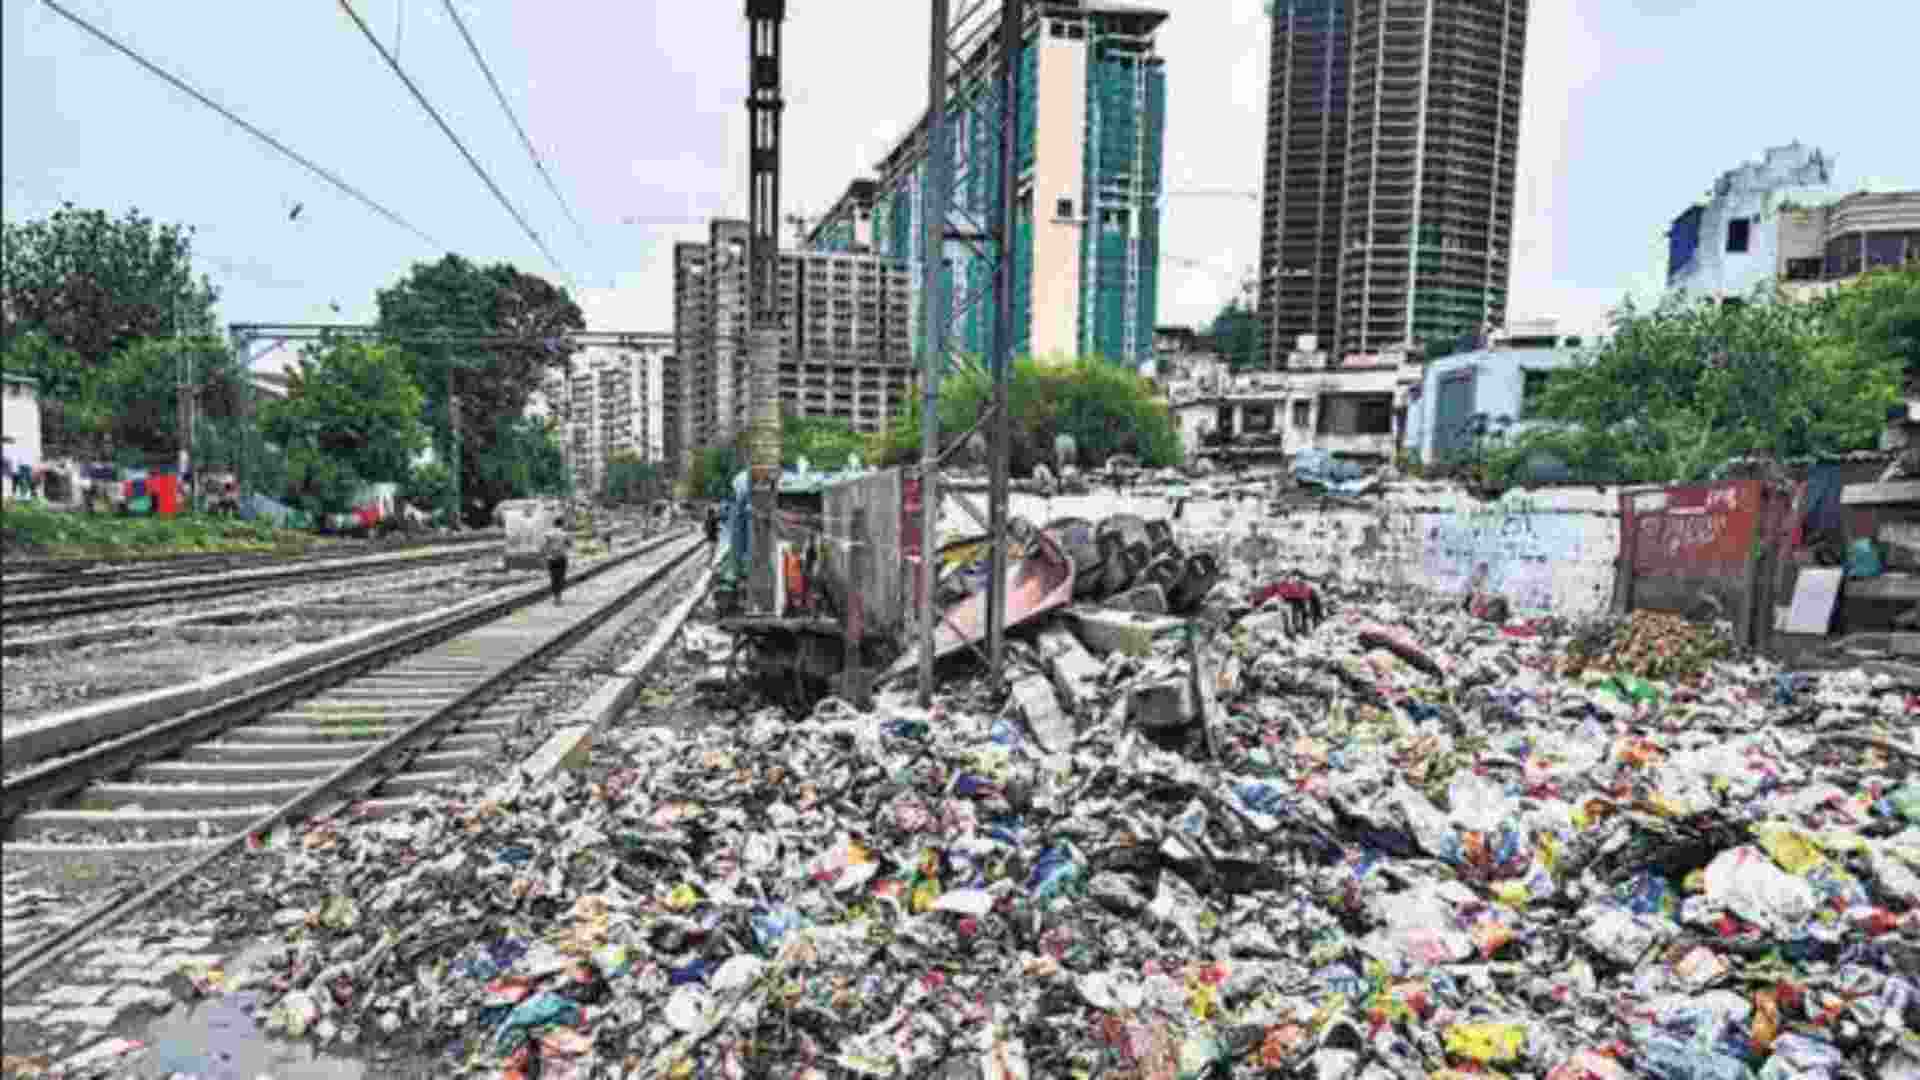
[610, 401]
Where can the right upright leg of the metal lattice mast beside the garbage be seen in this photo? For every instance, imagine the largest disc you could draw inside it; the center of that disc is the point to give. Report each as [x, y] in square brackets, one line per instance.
[1013, 32]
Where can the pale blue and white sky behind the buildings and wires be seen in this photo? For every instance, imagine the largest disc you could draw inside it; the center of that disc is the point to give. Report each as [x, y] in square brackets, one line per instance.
[1633, 109]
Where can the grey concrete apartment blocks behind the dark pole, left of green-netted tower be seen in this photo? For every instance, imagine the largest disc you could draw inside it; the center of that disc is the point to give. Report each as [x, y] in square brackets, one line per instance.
[848, 347]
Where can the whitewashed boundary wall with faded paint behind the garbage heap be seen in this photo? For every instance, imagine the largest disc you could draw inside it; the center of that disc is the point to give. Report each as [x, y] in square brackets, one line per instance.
[1552, 551]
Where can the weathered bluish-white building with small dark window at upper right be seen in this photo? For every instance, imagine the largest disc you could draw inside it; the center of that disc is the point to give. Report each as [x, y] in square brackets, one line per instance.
[1729, 243]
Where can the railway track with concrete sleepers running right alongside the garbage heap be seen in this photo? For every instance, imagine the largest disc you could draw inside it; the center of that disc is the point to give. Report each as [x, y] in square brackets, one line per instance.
[370, 729]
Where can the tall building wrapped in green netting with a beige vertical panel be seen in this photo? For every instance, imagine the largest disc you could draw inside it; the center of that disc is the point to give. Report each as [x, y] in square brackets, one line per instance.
[1088, 224]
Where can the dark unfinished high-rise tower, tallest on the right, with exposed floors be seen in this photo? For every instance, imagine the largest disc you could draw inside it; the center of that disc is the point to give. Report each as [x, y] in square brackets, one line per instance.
[1393, 135]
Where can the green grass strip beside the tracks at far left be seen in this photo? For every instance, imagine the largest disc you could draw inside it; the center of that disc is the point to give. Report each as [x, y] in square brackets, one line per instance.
[36, 529]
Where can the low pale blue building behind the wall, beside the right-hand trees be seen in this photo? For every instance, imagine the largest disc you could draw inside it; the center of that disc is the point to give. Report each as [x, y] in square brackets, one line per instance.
[1499, 383]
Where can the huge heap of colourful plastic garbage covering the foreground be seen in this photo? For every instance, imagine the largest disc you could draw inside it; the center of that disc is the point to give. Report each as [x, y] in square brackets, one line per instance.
[1406, 847]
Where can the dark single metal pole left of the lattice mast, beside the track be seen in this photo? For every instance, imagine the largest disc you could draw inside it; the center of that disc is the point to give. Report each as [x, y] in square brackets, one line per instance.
[763, 285]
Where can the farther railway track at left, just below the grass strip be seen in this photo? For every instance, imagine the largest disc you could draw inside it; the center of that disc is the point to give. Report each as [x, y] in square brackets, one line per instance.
[45, 604]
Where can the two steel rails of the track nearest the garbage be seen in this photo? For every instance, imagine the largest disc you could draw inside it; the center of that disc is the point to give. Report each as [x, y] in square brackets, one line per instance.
[356, 777]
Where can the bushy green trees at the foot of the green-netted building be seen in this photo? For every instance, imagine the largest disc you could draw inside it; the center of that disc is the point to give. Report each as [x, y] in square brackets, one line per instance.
[1103, 406]
